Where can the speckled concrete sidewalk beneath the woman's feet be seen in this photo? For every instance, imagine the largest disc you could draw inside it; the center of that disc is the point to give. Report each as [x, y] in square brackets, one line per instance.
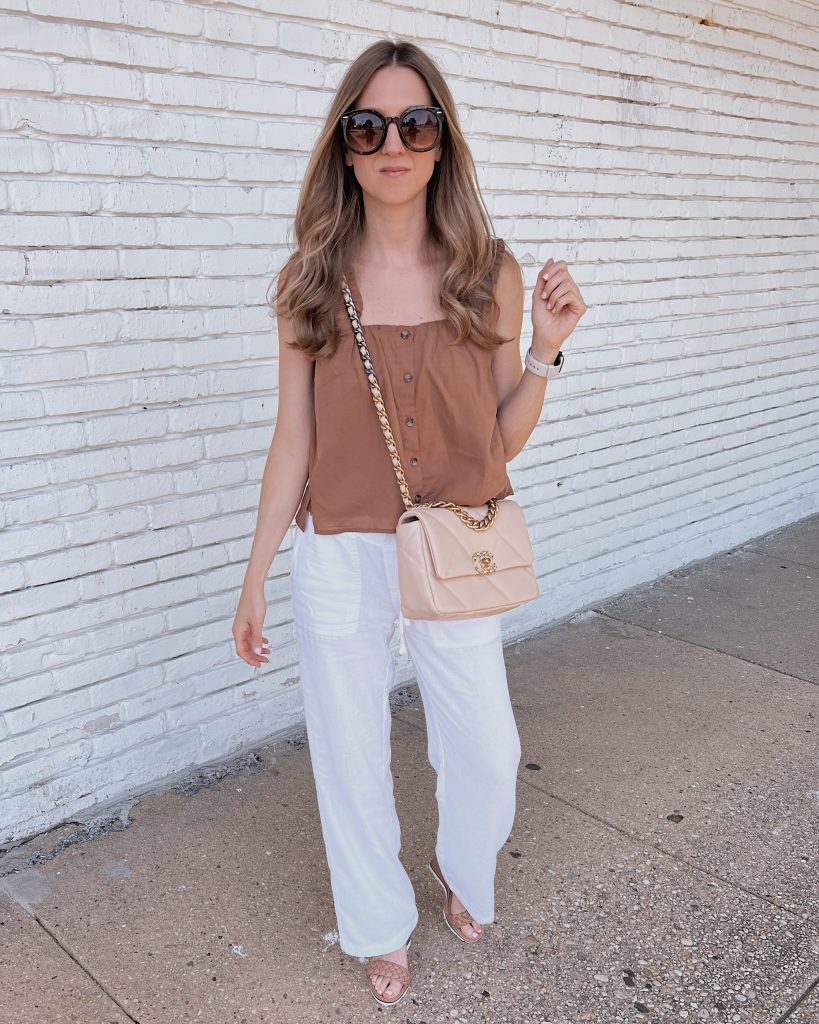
[664, 865]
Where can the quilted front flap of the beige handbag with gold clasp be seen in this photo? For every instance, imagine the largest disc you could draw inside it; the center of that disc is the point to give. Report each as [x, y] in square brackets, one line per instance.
[457, 551]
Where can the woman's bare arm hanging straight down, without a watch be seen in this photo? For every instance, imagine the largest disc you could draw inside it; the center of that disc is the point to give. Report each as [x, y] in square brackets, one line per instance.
[283, 486]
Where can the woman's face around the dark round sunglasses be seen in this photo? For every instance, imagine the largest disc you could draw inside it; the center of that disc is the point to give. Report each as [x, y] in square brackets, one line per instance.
[391, 92]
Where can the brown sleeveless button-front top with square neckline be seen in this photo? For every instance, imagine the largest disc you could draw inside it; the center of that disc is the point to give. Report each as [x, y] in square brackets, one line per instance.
[441, 402]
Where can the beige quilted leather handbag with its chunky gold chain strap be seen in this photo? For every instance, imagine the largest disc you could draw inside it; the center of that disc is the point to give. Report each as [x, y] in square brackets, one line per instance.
[455, 562]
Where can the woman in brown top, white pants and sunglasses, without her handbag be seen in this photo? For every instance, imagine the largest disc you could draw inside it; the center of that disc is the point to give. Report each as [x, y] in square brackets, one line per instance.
[399, 217]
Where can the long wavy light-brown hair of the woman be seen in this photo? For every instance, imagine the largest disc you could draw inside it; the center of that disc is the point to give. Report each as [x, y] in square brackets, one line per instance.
[330, 220]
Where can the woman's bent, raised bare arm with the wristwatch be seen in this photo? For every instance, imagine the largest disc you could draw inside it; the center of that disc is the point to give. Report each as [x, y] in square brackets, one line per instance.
[557, 306]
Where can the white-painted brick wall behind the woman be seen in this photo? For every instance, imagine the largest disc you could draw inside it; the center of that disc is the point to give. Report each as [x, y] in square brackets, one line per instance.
[151, 156]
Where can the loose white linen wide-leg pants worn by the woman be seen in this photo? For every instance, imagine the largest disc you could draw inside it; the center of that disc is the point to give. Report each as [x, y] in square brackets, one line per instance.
[347, 607]
